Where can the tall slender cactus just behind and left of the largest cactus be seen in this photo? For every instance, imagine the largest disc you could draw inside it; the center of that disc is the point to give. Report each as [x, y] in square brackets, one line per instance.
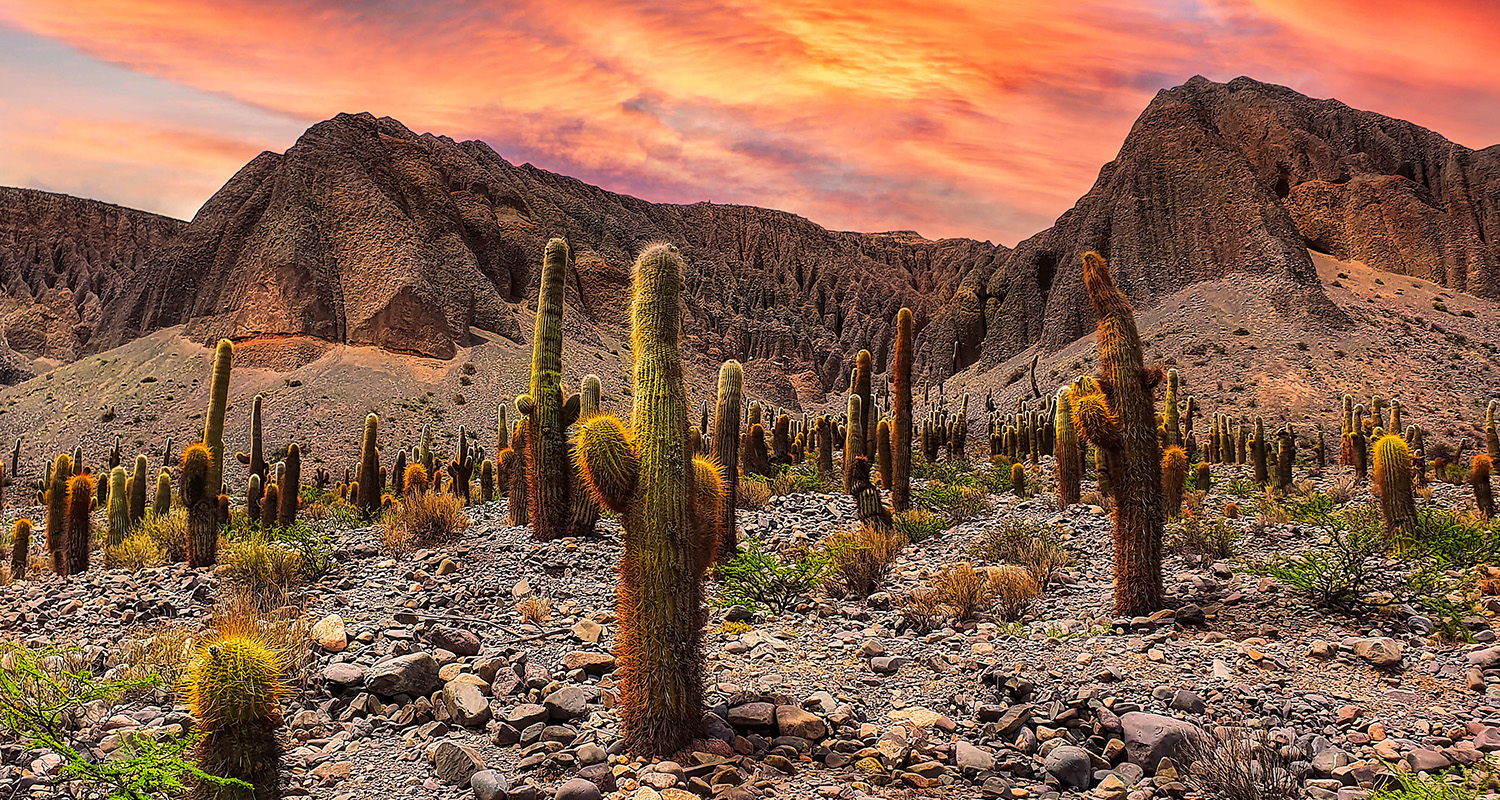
[547, 411]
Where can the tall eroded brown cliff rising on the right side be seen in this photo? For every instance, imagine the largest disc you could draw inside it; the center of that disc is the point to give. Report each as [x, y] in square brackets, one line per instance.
[1246, 178]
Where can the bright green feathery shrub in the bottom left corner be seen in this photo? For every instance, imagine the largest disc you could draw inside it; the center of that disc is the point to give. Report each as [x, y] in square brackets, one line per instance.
[41, 693]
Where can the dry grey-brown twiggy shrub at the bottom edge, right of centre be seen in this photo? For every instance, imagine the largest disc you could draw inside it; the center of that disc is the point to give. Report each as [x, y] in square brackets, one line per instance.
[1240, 765]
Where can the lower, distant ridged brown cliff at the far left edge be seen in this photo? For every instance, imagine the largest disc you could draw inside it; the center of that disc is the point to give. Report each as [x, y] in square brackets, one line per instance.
[62, 262]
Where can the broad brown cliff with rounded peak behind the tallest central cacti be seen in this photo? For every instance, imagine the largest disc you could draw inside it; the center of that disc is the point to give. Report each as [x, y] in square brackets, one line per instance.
[367, 233]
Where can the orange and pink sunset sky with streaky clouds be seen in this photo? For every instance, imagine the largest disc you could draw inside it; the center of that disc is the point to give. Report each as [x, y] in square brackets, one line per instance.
[955, 118]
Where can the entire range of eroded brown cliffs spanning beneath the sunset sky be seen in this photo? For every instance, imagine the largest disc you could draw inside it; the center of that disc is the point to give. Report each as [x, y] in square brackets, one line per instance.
[367, 233]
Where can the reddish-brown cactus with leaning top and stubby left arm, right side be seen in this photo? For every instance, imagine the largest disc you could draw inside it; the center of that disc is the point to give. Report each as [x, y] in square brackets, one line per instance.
[1121, 424]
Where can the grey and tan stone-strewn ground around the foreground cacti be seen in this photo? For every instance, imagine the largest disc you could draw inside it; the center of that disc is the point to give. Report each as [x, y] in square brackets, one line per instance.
[425, 681]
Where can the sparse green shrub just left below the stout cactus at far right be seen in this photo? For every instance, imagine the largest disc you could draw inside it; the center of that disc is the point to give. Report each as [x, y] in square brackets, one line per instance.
[1337, 574]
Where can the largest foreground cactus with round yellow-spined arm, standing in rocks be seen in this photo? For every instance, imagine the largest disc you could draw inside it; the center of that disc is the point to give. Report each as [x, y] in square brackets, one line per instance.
[667, 502]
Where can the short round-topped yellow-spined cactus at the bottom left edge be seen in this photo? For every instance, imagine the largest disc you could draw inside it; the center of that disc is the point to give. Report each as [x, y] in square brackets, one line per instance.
[235, 690]
